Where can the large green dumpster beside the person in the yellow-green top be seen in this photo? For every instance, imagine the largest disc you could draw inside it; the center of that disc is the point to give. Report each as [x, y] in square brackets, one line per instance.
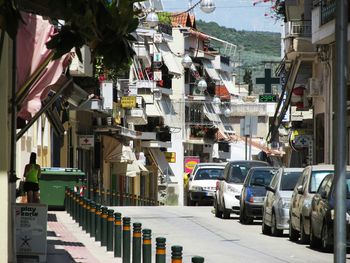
[53, 182]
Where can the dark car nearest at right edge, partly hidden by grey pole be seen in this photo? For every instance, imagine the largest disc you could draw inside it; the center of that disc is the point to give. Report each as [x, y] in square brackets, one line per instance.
[322, 214]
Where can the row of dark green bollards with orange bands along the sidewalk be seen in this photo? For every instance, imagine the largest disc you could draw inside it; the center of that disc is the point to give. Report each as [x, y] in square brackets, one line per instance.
[114, 231]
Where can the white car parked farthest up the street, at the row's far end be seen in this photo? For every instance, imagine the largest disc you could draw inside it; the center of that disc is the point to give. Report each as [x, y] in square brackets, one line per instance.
[202, 183]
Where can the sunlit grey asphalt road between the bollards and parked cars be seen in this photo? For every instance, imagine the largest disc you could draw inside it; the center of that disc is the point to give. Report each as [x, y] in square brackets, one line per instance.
[219, 241]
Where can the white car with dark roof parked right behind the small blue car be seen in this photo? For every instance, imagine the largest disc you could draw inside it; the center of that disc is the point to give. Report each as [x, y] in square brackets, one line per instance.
[229, 187]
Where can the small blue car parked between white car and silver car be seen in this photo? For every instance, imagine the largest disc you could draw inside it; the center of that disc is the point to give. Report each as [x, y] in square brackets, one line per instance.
[254, 192]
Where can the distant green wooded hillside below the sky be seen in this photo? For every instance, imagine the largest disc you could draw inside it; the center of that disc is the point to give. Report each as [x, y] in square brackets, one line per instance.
[253, 47]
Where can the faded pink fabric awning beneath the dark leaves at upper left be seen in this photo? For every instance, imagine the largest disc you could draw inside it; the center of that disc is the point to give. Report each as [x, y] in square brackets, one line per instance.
[32, 55]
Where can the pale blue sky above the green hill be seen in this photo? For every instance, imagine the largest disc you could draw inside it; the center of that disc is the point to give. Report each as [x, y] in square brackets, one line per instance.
[237, 14]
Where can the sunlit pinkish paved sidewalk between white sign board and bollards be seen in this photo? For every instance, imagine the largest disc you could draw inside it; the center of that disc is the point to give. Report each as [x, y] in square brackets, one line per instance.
[67, 242]
